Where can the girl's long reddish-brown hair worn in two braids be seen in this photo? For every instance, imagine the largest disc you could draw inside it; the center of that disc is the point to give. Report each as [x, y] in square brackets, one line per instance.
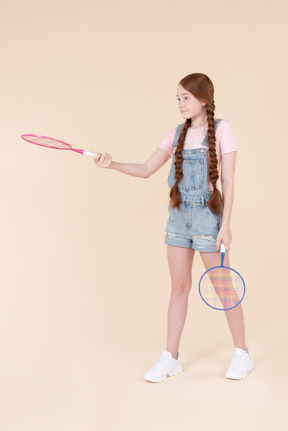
[202, 88]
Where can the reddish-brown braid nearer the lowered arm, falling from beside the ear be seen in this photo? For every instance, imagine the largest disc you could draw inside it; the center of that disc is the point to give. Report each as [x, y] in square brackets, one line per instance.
[215, 201]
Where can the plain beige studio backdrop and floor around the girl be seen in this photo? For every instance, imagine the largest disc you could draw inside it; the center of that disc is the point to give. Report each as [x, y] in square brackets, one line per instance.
[84, 275]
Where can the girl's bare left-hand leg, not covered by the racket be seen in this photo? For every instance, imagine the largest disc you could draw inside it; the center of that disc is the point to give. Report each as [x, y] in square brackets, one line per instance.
[180, 266]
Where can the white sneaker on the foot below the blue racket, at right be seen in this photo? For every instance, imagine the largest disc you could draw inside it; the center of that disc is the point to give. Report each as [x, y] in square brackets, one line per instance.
[240, 365]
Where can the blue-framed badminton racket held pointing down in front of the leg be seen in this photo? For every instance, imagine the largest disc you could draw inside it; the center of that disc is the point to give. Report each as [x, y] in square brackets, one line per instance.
[222, 287]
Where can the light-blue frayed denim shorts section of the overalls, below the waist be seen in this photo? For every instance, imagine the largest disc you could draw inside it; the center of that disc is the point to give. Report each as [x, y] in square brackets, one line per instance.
[193, 225]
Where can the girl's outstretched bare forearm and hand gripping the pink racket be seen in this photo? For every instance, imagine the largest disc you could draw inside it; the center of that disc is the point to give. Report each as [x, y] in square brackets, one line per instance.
[143, 170]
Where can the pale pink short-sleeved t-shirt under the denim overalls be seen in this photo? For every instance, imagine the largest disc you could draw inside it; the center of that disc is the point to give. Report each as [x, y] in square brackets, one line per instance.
[225, 141]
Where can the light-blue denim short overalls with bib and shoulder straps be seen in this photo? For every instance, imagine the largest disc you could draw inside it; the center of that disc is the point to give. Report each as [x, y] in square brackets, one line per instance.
[193, 225]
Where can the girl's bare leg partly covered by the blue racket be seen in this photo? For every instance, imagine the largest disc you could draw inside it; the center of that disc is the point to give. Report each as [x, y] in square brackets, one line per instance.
[234, 316]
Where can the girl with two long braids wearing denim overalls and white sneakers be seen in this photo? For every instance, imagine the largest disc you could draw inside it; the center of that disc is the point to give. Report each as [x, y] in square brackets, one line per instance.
[199, 217]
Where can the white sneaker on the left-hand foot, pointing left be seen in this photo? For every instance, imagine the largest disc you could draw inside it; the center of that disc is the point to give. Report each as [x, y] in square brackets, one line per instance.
[165, 366]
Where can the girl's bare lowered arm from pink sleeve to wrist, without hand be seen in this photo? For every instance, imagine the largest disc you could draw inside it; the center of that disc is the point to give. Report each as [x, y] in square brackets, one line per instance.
[228, 163]
